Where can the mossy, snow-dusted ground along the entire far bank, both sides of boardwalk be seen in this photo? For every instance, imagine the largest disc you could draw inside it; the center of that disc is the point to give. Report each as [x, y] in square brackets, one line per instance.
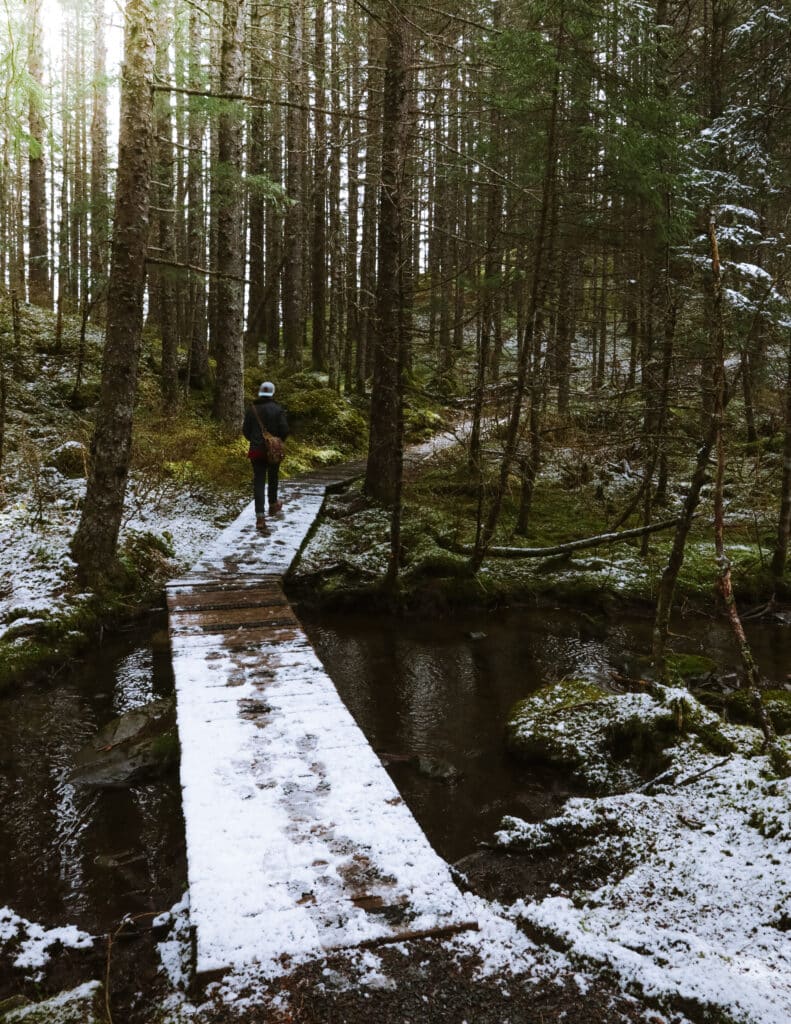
[185, 465]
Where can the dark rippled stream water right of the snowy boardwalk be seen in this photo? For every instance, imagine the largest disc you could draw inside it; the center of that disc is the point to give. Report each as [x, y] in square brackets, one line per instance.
[437, 691]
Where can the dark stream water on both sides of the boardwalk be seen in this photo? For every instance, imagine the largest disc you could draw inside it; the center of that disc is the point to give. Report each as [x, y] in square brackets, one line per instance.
[440, 692]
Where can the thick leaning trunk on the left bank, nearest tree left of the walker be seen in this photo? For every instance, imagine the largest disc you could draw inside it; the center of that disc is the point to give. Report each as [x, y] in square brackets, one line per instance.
[97, 538]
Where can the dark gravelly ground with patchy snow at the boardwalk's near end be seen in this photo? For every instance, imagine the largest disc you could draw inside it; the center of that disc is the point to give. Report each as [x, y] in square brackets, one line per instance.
[494, 976]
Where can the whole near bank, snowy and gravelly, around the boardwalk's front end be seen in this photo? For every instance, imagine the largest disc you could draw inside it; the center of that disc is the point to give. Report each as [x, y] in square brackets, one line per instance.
[662, 908]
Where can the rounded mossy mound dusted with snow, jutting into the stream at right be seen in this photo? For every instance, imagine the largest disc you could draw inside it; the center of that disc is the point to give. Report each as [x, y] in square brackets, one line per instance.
[610, 743]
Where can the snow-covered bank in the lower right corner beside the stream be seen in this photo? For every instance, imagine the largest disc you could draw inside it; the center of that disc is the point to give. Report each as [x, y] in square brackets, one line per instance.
[704, 913]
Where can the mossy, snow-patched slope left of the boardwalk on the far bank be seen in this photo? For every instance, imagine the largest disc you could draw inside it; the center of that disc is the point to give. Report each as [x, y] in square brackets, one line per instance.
[189, 479]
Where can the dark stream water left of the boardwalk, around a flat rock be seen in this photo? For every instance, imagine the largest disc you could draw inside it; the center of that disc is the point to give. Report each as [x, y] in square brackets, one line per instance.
[73, 855]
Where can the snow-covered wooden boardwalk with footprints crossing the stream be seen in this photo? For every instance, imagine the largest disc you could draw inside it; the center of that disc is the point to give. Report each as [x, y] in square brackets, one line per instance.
[298, 840]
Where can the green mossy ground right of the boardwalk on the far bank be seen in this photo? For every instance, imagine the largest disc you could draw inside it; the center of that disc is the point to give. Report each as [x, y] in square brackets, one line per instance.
[442, 509]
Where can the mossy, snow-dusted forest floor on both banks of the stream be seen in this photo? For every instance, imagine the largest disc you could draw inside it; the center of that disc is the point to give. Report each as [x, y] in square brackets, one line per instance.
[556, 942]
